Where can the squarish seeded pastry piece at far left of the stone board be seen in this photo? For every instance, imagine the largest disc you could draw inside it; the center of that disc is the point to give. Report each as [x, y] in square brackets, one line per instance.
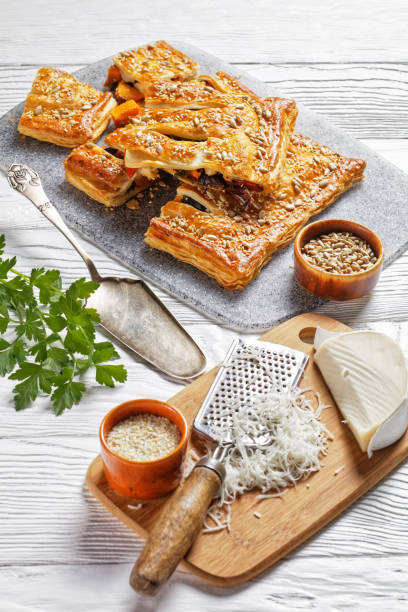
[62, 110]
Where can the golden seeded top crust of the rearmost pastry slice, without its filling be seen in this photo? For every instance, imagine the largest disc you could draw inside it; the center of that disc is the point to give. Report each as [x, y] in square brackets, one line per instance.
[154, 61]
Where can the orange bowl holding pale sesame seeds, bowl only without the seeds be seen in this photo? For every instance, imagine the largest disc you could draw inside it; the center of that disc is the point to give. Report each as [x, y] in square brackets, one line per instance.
[143, 479]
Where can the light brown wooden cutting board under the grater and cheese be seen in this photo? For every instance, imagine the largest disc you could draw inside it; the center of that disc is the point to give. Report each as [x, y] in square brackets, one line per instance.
[254, 544]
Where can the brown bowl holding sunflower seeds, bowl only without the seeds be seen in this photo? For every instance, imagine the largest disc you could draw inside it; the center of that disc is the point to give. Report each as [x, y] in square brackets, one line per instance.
[336, 286]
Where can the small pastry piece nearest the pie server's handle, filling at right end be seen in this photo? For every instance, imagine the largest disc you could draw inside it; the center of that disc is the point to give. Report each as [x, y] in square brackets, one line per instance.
[102, 176]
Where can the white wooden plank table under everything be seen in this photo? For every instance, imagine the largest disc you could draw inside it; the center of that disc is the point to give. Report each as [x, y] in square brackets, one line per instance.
[59, 549]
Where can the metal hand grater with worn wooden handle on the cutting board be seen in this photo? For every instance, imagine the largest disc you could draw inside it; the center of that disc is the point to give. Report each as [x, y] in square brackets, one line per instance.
[249, 367]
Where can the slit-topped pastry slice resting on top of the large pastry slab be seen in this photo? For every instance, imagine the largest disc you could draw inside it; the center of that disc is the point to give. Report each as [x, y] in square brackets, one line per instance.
[233, 144]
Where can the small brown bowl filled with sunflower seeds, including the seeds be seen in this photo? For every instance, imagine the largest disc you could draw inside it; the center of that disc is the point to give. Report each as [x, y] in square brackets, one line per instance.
[337, 259]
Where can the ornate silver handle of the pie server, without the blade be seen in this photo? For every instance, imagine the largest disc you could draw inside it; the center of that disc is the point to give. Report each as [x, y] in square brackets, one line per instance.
[26, 181]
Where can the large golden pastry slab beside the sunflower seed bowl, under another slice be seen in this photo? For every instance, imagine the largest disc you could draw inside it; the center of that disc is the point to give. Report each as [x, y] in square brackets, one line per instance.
[231, 241]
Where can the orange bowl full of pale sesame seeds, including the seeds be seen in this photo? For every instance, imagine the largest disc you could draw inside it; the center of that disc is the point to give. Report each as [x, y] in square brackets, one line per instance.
[143, 445]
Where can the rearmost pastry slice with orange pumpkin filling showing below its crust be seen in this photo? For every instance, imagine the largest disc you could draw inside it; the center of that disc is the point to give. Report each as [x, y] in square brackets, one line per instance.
[133, 70]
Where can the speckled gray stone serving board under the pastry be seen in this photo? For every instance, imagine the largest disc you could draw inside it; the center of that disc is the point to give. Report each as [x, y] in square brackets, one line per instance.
[380, 202]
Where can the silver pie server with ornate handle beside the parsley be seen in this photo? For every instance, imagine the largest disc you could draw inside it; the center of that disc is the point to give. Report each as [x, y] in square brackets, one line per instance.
[128, 309]
